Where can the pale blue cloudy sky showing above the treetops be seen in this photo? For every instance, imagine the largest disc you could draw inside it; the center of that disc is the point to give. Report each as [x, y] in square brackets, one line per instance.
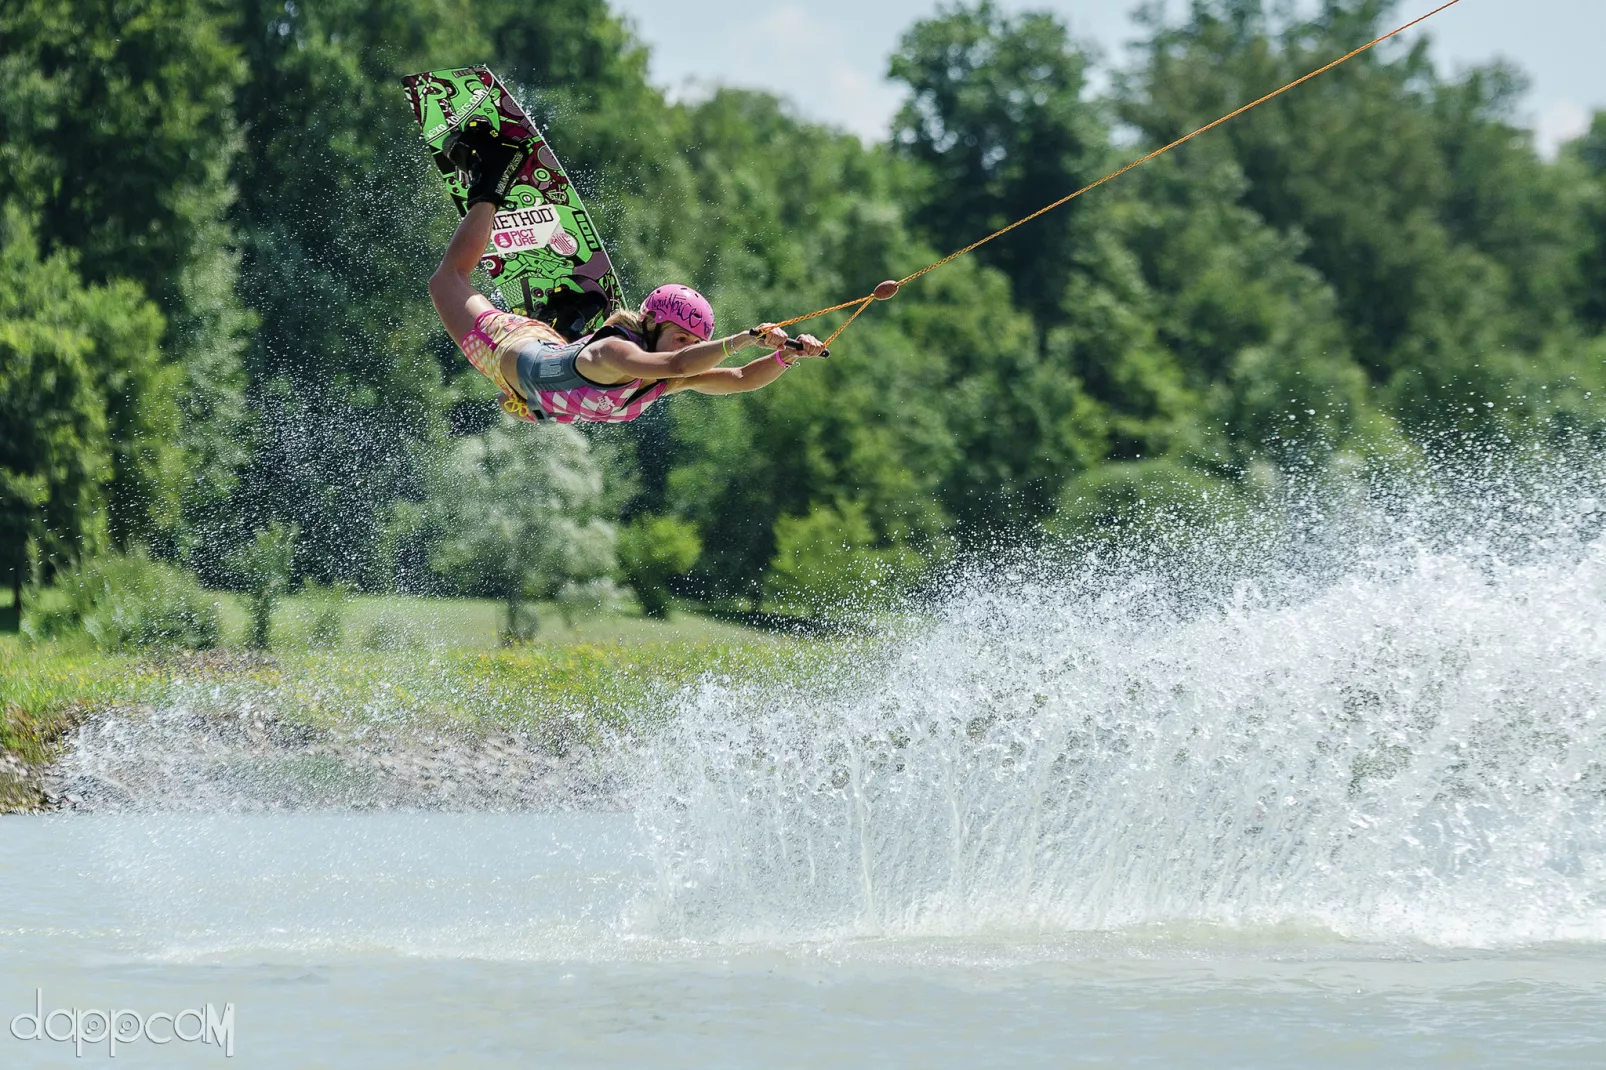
[829, 57]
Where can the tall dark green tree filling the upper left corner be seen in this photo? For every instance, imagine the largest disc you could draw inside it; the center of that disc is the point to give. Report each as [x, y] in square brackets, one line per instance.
[116, 136]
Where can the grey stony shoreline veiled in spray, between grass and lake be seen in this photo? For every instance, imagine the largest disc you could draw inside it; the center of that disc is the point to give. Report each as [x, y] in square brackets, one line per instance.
[253, 761]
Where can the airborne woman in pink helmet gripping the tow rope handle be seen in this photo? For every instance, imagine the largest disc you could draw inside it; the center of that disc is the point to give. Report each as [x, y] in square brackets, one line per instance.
[613, 375]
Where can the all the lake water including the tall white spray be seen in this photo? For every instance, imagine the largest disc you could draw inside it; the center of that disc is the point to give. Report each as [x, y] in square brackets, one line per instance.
[1321, 793]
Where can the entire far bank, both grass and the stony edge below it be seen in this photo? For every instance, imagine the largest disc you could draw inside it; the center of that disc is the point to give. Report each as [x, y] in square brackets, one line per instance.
[510, 729]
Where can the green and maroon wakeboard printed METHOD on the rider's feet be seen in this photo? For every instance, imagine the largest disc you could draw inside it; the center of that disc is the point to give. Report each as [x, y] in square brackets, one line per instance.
[545, 256]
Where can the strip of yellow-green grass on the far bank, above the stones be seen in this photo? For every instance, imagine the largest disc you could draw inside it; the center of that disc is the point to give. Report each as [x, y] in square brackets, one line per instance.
[399, 660]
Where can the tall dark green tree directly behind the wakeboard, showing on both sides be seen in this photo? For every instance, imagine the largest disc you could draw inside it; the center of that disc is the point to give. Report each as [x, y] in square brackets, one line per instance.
[343, 221]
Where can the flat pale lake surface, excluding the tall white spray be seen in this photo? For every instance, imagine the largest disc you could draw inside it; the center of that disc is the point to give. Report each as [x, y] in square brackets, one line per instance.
[499, 941]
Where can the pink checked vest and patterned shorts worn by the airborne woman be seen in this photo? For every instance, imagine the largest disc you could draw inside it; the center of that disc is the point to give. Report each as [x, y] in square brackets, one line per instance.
[547, 385]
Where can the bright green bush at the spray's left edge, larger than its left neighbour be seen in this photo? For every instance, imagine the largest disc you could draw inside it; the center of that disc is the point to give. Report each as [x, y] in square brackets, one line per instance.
[829, 566]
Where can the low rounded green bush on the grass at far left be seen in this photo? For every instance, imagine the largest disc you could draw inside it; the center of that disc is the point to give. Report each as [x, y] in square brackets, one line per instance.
[128, 602]
